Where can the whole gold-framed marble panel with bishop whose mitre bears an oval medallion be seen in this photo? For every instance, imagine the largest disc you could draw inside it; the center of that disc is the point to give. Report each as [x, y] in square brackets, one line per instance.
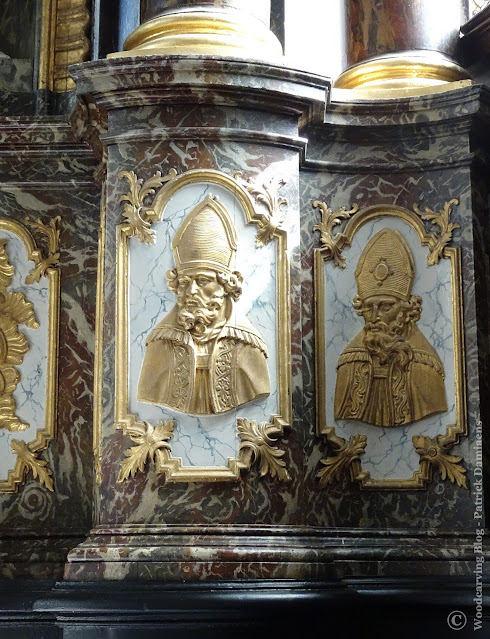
[390, 383]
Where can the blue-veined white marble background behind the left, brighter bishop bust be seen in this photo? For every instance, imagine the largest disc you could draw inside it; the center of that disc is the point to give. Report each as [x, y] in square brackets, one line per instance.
[201, 440]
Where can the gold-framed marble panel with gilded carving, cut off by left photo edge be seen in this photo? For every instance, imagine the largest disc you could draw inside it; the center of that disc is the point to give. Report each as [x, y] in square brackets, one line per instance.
[39, 282]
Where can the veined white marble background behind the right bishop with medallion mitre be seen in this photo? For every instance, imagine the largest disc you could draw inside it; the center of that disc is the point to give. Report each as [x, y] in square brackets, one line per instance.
[390, 453]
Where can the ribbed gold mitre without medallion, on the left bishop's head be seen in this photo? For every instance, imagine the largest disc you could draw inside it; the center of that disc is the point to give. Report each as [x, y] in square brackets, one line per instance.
[206, 238]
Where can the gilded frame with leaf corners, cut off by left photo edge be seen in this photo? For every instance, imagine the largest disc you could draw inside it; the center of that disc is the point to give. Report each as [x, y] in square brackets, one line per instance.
[44, 266]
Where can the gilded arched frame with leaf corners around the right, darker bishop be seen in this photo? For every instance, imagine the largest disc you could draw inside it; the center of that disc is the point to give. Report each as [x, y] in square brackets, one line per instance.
[346, 454]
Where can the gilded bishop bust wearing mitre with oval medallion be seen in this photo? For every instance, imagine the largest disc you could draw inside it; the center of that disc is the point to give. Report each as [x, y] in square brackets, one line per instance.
[389, 374]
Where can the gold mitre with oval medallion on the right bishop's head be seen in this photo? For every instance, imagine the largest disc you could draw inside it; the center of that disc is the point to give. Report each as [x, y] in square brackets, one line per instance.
[386, 267]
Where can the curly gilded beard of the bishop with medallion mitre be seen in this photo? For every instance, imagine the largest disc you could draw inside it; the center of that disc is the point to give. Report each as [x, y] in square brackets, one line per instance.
[388, 343]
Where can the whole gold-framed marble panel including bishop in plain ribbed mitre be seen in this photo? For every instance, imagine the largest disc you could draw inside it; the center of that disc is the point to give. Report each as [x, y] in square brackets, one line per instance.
[203, 328]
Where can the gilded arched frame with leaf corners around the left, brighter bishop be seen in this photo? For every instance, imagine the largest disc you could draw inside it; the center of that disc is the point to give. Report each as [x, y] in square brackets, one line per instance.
[256, 439]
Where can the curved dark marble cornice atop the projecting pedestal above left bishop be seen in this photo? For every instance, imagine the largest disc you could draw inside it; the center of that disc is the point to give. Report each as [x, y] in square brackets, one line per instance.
[174, 79]
